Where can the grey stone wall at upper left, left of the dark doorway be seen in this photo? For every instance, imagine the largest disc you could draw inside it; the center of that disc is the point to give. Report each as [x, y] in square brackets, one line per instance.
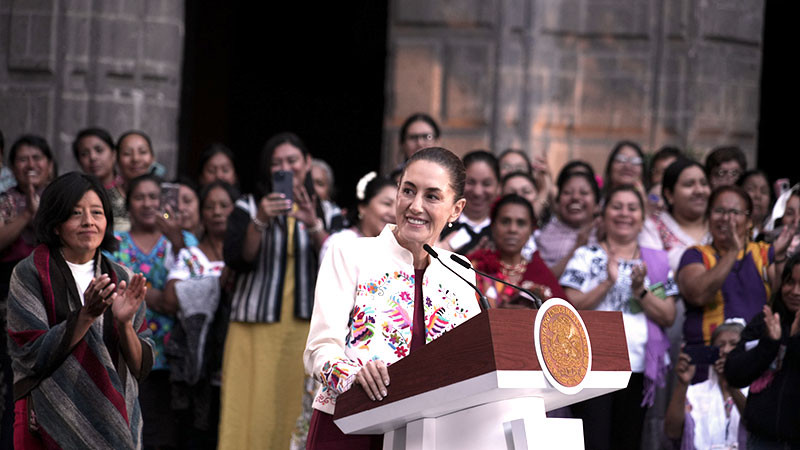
[68, 64]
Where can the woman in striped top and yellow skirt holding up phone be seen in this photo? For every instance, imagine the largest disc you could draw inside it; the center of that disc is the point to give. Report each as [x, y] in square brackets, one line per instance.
[272, 243]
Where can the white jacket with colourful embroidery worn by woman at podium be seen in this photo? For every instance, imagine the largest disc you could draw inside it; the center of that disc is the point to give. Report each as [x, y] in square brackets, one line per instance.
[364, 309]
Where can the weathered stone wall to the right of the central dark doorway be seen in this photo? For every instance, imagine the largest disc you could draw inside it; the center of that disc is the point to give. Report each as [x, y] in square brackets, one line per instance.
[568, 78]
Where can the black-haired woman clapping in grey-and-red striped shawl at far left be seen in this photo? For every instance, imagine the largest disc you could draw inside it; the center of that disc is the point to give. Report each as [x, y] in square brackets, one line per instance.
[76, 320]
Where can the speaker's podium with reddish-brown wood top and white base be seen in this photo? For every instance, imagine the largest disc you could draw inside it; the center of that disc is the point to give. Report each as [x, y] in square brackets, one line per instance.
[481, 386]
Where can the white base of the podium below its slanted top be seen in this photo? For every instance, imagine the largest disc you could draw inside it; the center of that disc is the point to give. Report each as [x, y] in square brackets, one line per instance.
[513, 424]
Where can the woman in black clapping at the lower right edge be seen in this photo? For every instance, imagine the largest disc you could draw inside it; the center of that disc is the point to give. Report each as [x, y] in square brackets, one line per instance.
[768, 360]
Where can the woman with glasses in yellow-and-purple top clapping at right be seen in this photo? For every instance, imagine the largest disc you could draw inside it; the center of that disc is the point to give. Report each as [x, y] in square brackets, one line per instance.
[733, 276]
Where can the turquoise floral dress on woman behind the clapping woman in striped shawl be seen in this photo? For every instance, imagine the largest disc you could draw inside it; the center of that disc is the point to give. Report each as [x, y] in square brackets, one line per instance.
[155, 266]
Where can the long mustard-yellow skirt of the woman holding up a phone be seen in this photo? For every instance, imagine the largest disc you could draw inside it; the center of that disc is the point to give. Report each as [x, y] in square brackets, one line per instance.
[262, 383]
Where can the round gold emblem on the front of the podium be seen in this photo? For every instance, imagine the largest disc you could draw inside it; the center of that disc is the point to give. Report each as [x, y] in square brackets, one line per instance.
[564, 345]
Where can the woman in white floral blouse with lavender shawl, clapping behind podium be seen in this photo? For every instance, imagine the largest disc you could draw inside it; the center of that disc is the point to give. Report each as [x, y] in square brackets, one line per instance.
[619, 275]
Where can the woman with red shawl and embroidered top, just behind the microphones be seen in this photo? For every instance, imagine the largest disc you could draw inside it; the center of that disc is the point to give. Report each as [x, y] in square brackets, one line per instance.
[512, 224]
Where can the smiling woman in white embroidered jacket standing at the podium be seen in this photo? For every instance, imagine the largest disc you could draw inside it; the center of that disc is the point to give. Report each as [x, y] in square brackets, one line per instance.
[378, 299]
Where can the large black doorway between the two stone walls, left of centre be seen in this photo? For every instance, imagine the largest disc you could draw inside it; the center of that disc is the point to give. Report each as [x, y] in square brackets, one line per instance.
[253, 69]
